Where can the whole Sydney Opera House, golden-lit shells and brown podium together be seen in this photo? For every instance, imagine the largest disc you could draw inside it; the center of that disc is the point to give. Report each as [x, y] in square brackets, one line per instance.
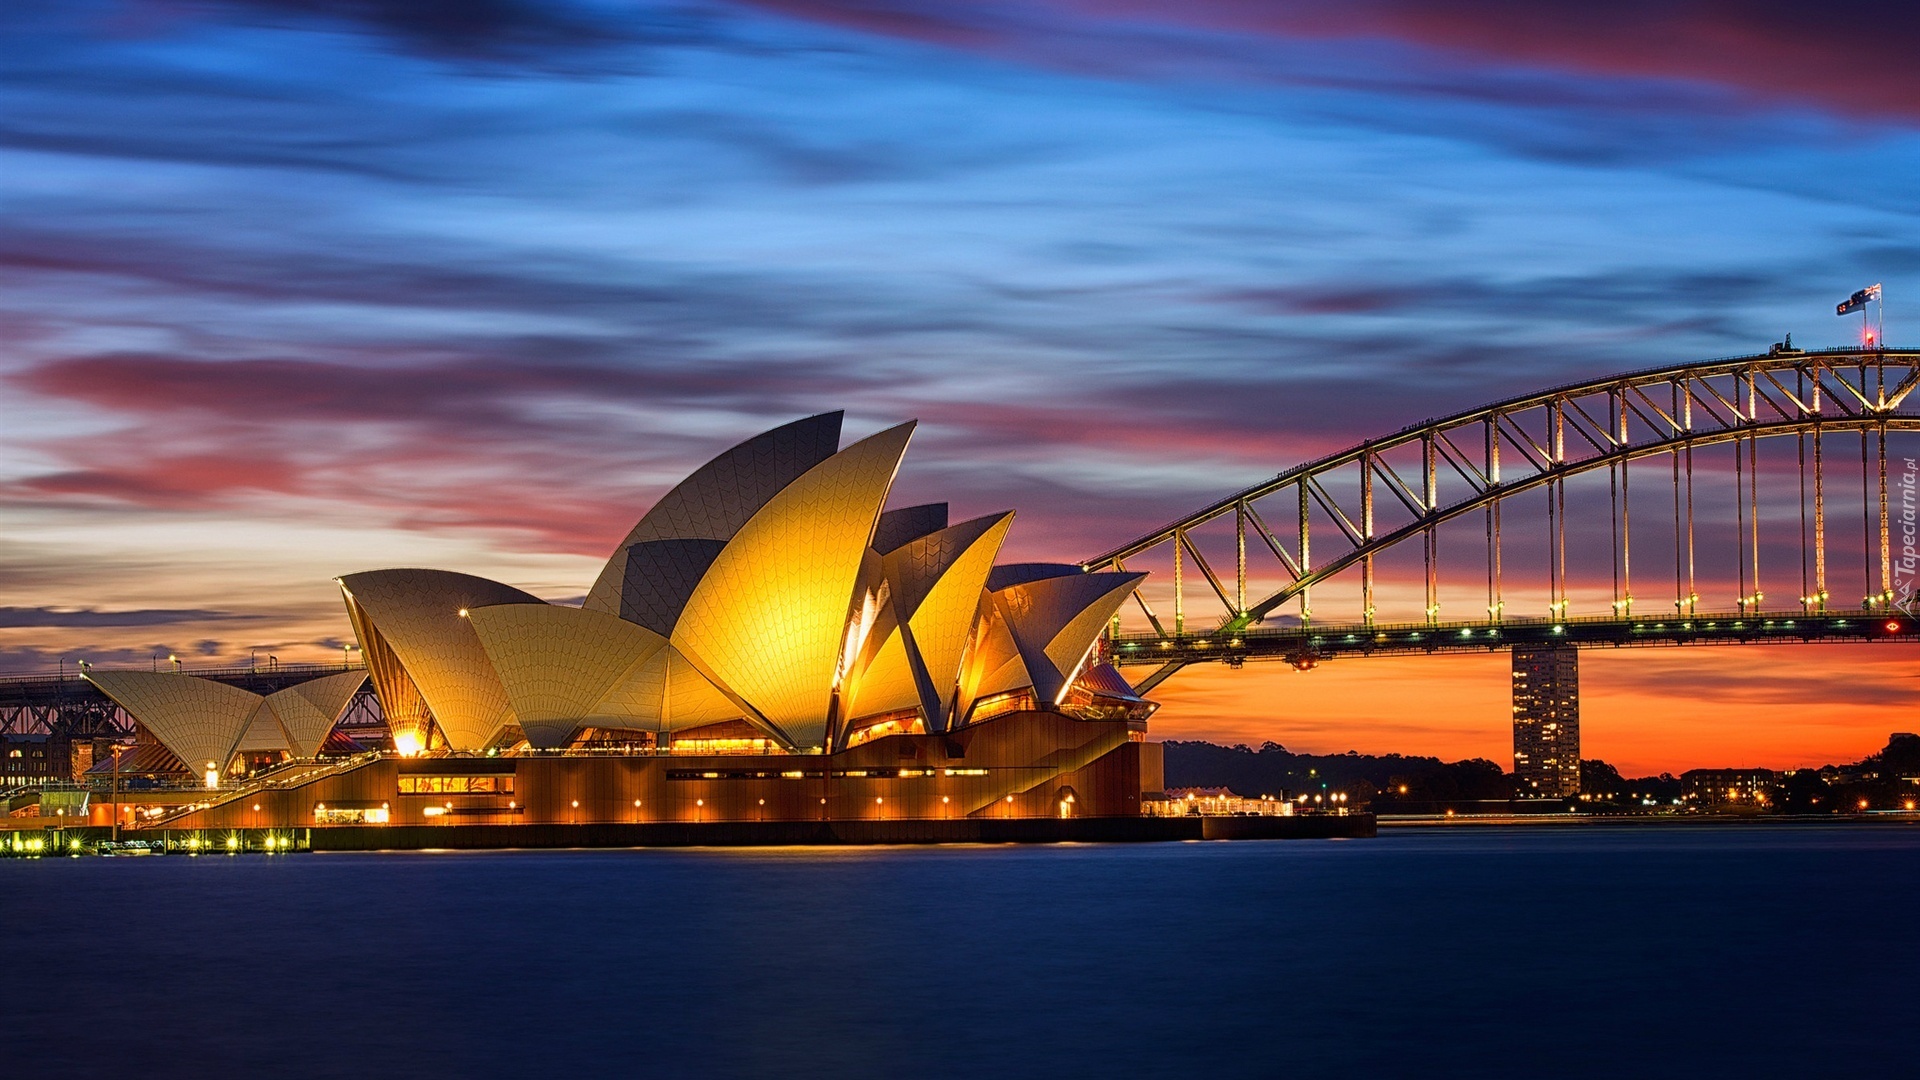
[769, 643]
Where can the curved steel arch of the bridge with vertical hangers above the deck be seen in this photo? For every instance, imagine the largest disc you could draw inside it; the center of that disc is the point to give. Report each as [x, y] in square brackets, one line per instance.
[1477, 460]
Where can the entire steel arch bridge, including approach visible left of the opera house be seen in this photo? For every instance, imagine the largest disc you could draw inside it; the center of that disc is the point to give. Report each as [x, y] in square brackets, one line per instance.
[1750, 501]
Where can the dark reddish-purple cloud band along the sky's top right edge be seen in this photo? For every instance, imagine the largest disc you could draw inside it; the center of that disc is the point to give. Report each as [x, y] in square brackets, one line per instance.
[1769, 53]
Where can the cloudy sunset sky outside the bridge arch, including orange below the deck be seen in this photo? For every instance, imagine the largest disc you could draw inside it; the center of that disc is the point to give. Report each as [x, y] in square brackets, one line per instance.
[289, 295]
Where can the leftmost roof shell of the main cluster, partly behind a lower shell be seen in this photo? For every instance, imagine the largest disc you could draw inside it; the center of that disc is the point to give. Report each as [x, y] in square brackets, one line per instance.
[420, 616]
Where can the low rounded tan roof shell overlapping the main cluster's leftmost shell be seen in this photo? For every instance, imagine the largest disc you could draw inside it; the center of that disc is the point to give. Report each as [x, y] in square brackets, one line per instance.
[558, 664]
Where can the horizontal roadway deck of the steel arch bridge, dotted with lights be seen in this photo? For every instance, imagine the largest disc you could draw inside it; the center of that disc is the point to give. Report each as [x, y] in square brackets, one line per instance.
[1316, 643]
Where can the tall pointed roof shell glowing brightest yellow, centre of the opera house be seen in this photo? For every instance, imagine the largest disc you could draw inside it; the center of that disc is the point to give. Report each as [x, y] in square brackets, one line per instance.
[769, 622]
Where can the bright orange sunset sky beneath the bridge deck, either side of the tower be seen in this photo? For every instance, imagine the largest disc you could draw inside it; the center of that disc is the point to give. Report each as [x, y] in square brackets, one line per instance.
[1644, 712]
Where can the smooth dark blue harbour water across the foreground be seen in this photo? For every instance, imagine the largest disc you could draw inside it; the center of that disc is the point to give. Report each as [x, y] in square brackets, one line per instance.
[1533, 952]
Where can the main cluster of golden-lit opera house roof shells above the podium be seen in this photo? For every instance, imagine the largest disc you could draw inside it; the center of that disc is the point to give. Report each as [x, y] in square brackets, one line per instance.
[769, 601]
